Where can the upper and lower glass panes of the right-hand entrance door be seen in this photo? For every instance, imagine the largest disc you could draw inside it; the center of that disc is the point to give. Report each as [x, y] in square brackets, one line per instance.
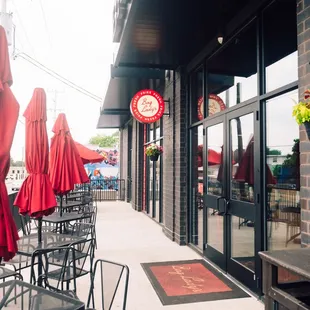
[242, 188]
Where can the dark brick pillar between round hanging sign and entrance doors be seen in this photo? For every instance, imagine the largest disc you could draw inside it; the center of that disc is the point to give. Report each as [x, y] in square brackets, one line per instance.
[175, 161]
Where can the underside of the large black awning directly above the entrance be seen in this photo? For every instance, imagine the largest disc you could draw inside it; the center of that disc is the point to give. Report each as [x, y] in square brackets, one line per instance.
[165, 34]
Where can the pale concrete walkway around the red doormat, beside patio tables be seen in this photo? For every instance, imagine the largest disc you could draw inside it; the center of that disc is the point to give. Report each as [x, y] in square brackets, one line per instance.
[131, 238]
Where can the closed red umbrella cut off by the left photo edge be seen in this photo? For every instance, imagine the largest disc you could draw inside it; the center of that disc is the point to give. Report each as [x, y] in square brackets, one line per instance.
[9, 109]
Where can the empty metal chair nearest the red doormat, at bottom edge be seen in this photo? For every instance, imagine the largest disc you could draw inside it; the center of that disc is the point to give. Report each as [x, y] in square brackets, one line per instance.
[110, 277]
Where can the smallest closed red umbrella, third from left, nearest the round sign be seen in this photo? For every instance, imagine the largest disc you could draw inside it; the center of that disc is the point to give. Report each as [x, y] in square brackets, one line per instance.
[65, 167]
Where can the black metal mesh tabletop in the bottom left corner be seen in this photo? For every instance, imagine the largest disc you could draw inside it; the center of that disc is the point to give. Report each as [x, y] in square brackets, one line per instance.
[30, 297]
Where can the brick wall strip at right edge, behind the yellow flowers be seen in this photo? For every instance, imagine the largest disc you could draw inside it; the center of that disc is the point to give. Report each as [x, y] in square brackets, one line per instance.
[303, 29]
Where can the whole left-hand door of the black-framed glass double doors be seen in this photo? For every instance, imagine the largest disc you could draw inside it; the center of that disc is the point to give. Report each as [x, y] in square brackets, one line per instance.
[214, 193]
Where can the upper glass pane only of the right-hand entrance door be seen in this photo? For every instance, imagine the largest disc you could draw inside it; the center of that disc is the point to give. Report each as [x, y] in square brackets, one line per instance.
[242, 158]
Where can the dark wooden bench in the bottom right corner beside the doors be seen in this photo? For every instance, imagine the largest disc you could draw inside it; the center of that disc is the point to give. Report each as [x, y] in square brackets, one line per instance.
[291, 294]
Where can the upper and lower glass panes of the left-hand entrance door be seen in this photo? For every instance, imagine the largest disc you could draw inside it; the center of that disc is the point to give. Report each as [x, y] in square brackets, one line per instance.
[215, 221]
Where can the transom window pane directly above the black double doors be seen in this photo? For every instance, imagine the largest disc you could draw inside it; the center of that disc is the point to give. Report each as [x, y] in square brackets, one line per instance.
[233, 71]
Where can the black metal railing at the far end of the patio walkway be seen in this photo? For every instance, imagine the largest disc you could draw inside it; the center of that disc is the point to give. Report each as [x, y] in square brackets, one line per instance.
[108, 189]
